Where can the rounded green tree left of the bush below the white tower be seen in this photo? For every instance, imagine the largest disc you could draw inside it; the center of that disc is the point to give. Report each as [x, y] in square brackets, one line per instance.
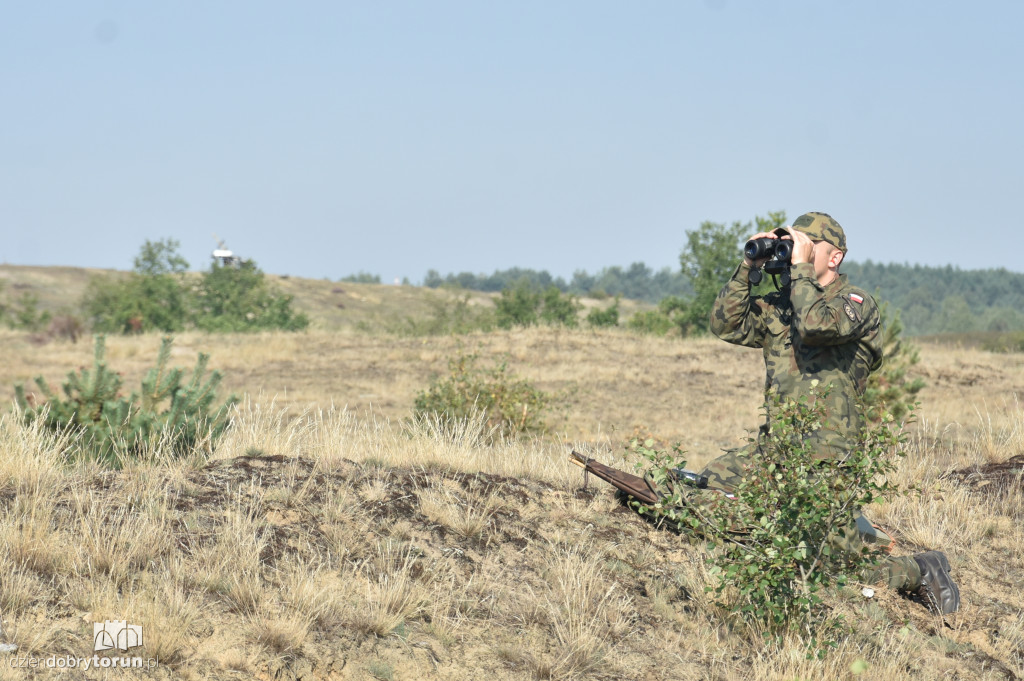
[153, 297]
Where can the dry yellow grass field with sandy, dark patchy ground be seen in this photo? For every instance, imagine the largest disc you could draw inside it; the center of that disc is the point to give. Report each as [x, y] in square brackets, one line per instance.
[328, 539]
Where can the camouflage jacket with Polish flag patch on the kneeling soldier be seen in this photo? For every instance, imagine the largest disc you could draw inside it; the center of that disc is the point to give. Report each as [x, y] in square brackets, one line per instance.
[831, 334]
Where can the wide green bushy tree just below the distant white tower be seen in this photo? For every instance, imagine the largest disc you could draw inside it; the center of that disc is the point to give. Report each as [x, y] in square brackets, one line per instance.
[239, 299]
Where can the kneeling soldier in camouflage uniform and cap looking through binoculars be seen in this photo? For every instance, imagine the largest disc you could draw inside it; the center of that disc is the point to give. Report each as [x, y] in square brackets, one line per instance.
[820, 330]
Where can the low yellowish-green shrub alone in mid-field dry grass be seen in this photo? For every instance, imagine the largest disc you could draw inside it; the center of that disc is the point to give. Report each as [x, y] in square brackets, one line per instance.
[513, 405]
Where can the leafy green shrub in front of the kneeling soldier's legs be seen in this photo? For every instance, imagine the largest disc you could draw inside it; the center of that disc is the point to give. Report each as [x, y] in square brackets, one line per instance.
[775, 541]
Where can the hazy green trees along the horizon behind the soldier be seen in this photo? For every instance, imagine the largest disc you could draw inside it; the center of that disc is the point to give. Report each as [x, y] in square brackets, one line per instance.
[928, 301]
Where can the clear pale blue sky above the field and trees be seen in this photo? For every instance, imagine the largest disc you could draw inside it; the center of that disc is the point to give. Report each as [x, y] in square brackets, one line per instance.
[323, 139]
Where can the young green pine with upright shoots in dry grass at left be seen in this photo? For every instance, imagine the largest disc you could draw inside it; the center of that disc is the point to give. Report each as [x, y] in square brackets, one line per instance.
[181, 415]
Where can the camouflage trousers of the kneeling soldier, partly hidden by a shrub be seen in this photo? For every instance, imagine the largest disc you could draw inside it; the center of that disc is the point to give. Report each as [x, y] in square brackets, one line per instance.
[727, 473]
